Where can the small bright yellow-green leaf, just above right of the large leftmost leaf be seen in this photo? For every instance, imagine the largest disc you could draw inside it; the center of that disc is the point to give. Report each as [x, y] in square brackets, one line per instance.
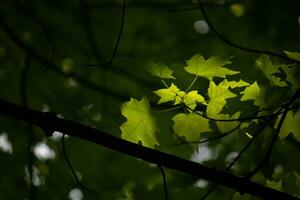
[168, 94]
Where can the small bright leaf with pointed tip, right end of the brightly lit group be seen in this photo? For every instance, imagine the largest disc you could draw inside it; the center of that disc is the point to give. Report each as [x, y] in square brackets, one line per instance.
[253, 92]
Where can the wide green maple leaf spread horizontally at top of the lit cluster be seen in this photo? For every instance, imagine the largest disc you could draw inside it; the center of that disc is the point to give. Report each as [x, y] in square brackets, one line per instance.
[212, 67]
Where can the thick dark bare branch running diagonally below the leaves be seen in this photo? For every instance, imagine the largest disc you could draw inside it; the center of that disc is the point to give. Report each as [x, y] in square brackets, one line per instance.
[49, 123]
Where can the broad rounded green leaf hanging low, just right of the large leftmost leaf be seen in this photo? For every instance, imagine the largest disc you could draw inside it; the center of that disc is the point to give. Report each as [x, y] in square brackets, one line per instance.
[190, 126]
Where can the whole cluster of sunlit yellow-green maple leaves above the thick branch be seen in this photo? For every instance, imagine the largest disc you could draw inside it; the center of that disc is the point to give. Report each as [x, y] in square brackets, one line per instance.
[191, 123]
